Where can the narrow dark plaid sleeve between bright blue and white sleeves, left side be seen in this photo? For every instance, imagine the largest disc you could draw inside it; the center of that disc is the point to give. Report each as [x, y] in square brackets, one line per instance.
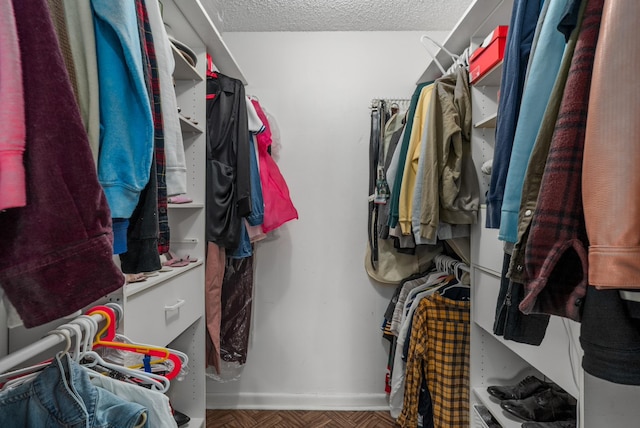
[153, 87]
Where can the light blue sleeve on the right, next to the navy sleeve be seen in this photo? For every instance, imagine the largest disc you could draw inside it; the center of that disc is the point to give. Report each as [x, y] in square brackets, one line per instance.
[535, 97]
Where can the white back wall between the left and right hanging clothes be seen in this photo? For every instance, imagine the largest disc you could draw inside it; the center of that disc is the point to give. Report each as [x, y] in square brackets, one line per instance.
[316, 339]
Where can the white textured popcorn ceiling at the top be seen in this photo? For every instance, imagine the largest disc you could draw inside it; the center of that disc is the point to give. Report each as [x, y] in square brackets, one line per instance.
[335, 15]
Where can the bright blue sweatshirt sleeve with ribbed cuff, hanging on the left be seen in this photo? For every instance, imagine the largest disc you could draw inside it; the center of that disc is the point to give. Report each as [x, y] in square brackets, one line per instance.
[126, 140]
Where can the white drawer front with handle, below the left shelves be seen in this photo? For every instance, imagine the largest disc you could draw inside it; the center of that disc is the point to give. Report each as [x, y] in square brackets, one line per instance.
[159, 314]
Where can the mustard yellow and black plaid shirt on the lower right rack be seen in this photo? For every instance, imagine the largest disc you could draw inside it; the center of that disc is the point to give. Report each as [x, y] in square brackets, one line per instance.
[439, 350]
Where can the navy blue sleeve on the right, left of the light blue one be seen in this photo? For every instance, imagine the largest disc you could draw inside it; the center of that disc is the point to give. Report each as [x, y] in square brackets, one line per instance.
[522, 27]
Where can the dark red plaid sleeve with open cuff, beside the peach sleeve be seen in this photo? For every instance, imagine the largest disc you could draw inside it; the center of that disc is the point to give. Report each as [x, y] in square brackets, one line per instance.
[556, 253]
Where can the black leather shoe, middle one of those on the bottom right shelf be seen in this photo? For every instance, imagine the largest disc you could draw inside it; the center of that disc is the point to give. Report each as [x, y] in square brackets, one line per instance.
[547, 406]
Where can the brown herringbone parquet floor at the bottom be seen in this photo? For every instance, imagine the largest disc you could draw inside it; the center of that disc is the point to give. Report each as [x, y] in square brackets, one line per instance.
[297, 419]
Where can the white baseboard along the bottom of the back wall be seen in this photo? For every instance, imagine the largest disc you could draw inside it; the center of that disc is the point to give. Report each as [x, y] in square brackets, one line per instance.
[261, 401]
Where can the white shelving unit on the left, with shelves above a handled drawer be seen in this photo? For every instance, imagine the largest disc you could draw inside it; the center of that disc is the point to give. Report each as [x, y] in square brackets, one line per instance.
[168, 309]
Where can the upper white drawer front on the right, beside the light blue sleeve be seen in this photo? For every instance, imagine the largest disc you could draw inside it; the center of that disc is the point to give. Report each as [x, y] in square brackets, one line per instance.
[486, 249]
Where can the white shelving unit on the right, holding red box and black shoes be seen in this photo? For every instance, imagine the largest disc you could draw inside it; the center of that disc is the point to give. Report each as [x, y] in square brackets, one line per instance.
[495, 361]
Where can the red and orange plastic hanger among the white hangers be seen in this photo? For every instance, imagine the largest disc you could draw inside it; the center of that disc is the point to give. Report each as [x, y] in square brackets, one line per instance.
[162, 353]
